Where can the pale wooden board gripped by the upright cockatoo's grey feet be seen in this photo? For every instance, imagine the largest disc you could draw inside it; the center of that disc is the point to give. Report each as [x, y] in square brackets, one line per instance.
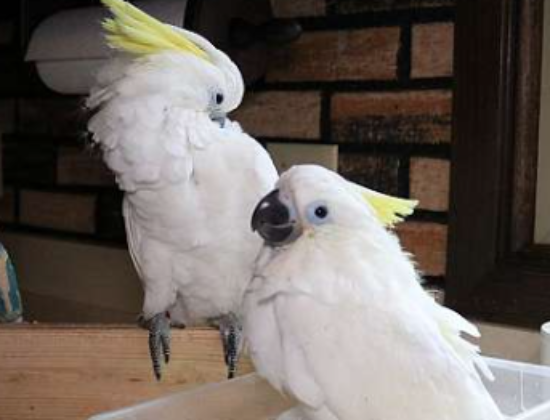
[71, 372]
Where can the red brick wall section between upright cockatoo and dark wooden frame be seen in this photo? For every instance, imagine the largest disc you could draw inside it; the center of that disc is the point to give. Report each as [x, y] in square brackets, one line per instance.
[375, 78]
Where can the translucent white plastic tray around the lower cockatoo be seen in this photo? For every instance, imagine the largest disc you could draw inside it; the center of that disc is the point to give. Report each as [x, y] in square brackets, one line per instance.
[521, 390]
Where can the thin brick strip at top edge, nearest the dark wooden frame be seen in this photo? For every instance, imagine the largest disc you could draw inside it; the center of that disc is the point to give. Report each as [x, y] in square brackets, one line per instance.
[361, 6]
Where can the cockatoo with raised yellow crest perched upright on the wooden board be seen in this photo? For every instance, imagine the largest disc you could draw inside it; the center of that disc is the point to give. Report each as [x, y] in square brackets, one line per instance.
[191, 177]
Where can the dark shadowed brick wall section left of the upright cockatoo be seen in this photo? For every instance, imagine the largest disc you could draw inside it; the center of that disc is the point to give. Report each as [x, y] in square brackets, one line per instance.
[53, 182]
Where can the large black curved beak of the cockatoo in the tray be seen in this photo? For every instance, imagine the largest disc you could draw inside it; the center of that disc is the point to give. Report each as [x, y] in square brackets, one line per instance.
[274, 221]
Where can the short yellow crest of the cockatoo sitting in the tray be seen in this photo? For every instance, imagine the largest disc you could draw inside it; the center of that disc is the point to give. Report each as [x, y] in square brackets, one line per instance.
[389, 210]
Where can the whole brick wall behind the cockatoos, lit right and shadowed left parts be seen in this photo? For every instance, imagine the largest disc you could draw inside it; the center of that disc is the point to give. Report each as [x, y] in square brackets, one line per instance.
[374, 77]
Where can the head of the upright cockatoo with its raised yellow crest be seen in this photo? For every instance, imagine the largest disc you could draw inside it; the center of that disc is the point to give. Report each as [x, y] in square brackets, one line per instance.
[159, 58]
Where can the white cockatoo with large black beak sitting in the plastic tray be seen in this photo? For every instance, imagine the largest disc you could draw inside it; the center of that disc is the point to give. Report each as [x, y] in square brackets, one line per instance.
[336, 316]
